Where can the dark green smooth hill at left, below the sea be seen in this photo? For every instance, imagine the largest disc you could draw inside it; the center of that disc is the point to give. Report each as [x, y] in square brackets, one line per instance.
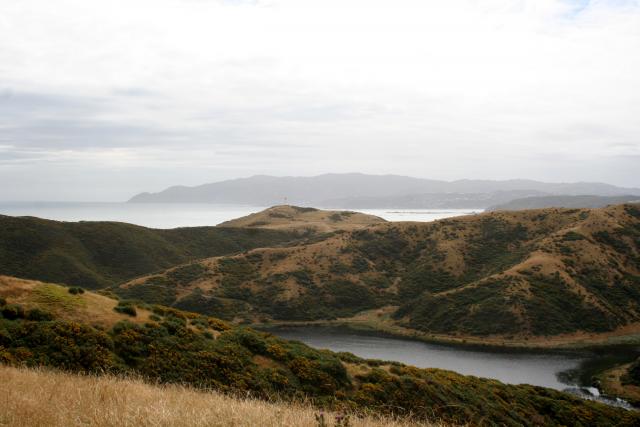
[100, 254]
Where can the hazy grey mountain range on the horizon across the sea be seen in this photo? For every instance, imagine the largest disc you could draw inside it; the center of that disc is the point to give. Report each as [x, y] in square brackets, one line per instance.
[360, 191]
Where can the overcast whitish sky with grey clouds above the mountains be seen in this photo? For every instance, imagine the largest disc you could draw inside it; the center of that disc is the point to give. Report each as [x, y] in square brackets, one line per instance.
[100, 99]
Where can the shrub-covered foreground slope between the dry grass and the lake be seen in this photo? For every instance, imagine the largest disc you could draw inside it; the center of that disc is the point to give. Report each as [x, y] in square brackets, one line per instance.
[46, 325]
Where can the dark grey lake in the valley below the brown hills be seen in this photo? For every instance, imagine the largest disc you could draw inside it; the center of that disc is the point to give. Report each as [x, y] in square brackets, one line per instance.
[561, 370]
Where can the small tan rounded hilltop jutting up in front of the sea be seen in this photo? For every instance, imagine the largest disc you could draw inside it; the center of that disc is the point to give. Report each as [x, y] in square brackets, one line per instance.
[297, 218]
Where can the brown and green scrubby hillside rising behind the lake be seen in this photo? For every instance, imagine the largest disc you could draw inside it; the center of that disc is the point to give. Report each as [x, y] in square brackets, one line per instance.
[512, 275]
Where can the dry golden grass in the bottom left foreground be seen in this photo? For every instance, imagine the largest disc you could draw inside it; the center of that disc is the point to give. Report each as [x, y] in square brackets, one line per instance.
[35, 397]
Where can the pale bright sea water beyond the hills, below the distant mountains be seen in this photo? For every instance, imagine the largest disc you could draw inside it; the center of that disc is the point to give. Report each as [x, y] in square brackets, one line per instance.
[172, 215]
